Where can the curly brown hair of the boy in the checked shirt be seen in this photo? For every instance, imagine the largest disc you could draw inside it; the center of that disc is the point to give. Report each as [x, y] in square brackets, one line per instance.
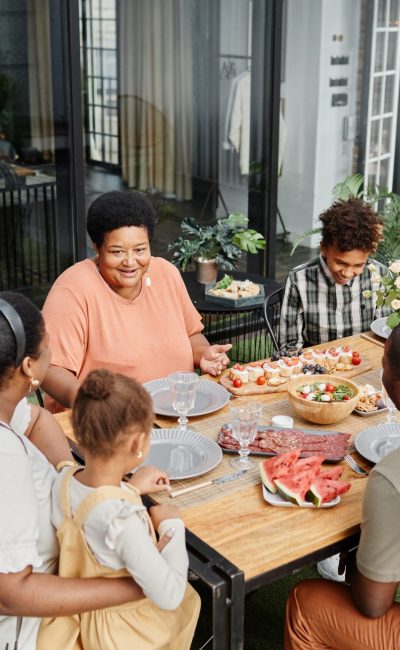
[350, 225]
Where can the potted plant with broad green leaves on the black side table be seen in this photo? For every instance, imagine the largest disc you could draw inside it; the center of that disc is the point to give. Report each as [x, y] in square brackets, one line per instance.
[218, 245]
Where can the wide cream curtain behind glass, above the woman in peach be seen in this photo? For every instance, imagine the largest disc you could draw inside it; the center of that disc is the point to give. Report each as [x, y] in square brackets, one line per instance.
[155, 72]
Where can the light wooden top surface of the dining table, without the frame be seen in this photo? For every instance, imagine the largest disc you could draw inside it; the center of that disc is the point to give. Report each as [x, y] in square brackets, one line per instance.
[259, 538]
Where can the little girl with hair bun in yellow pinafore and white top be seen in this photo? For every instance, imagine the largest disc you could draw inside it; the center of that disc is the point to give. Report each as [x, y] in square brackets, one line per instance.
[92, 507]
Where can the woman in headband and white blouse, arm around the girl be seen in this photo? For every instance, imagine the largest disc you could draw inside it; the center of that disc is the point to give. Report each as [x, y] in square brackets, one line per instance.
[28, 545]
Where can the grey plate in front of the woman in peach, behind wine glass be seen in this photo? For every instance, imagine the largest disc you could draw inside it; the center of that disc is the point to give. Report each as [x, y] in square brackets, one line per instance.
[210, 397]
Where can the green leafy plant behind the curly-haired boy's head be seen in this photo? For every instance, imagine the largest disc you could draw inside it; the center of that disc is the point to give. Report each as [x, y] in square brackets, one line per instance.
[386, 203]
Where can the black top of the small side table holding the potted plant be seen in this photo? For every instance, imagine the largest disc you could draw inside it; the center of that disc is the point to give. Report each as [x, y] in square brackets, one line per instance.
[196, 290]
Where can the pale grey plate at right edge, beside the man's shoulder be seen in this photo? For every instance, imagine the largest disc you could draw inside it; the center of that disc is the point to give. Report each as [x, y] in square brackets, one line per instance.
[377, 442]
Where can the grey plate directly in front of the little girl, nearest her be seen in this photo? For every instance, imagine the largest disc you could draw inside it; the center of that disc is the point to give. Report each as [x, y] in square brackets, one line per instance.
[182, 454]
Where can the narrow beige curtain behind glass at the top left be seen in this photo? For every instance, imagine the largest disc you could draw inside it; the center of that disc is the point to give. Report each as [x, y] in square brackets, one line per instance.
[40, 85]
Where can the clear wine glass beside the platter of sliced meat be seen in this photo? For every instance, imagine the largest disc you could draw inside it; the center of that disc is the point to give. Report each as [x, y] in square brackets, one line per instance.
[244, 420]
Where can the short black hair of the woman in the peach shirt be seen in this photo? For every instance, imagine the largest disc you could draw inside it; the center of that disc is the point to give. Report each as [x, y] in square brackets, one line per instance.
[114, 210]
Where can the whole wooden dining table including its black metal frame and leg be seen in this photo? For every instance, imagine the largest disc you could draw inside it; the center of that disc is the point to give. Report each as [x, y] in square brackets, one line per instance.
[236, 541]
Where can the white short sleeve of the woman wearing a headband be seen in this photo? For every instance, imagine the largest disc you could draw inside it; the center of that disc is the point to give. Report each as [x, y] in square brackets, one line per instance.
[19, 529]
